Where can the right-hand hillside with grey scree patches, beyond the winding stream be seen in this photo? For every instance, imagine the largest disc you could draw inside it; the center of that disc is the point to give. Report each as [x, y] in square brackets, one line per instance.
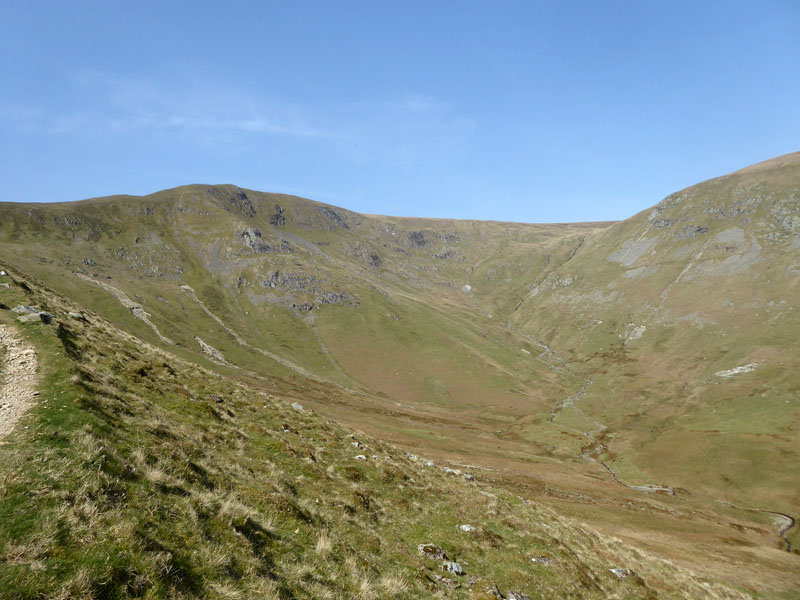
[685, 319]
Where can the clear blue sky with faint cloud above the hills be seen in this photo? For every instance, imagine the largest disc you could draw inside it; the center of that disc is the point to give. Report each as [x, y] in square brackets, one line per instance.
[524, 111]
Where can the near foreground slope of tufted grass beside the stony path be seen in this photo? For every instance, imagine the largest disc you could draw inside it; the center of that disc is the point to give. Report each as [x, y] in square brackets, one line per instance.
[138, 474]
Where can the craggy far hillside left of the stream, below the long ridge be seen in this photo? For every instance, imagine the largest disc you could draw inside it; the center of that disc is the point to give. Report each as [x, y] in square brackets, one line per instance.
[272, 284]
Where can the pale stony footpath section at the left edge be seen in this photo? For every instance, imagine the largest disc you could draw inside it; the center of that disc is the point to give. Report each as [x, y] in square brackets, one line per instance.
[17, 378]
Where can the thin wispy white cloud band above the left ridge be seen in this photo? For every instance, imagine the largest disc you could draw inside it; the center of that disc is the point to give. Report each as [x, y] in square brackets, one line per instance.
[412, 129]
